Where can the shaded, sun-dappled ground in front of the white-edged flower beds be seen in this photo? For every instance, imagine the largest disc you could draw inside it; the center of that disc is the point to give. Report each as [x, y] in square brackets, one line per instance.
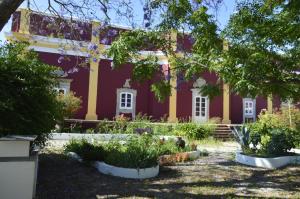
[215, 176]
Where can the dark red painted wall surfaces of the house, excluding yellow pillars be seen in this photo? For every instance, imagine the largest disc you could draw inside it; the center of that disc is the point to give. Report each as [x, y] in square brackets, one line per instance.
[110, 80]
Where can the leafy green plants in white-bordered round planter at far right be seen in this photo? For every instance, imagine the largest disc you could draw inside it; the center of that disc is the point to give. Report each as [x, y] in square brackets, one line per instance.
[268, 142]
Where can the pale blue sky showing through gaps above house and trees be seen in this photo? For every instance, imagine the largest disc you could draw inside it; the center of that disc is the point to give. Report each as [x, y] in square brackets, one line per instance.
[223, 15]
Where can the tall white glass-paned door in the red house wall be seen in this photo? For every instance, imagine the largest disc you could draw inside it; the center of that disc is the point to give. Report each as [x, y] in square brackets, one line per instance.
[200, 109]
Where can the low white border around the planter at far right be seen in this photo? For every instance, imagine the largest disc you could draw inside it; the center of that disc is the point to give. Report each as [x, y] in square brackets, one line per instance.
[269, 163]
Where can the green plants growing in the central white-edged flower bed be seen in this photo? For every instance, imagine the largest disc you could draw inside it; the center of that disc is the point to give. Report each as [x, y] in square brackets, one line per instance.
[136, 152]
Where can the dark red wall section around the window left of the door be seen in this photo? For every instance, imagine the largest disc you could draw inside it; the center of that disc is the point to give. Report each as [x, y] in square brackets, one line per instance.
[108, 82]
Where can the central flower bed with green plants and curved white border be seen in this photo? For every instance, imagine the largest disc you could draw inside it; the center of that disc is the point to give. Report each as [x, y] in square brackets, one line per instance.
[138, 157]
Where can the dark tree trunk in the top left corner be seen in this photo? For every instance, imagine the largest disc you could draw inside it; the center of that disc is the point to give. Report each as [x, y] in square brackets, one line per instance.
[7, 8]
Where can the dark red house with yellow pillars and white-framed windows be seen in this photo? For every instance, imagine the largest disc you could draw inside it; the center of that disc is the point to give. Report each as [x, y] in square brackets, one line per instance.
[106, 93]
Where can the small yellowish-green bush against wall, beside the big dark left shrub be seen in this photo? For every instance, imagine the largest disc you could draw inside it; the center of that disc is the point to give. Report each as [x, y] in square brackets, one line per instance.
[70, 103]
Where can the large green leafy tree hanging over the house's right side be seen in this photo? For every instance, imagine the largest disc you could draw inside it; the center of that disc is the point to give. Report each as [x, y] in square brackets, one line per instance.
[262, 58]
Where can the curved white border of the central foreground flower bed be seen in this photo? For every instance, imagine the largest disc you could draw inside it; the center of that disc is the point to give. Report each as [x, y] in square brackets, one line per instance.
[104, 168]
